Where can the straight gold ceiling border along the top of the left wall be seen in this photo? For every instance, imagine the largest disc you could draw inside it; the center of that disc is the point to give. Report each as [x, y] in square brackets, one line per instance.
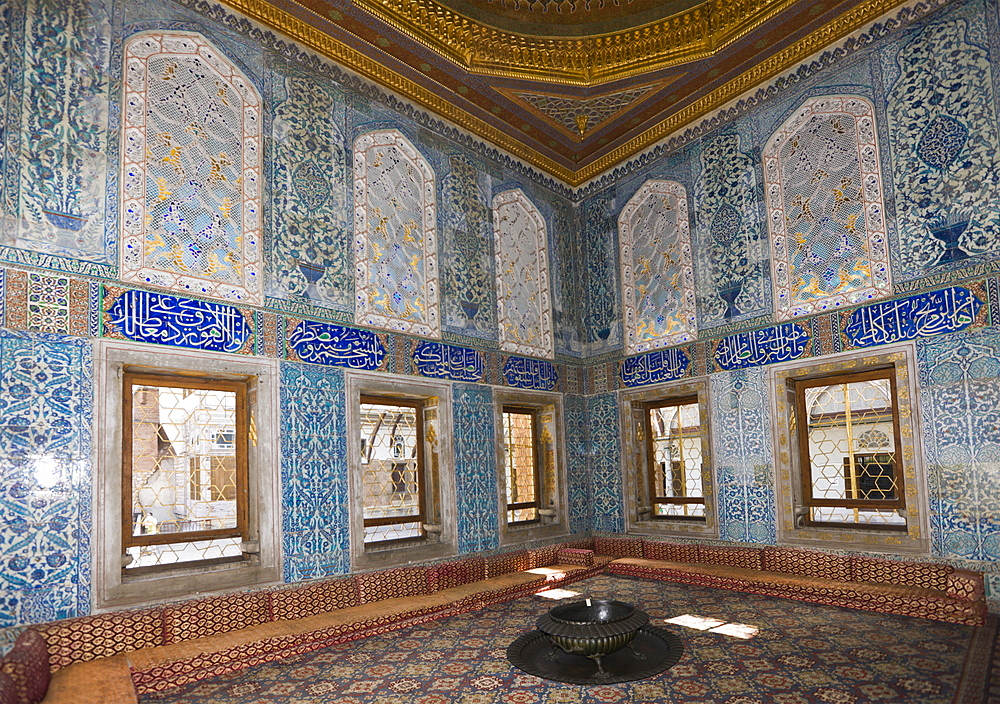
[305, 34]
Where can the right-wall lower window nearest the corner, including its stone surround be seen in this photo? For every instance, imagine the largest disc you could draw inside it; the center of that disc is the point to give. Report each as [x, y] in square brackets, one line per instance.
[667, 456]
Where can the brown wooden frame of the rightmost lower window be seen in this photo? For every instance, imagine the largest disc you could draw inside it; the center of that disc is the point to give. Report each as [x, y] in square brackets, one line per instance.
[799, 387]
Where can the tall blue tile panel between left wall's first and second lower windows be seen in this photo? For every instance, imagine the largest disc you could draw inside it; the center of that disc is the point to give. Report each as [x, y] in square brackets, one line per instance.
[314, 523]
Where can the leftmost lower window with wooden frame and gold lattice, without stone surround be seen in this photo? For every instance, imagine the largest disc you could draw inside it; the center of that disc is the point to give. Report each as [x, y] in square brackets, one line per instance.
[185, 494]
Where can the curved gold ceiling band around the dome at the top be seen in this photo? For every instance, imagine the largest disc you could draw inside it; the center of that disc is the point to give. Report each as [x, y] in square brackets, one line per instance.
[693, 34]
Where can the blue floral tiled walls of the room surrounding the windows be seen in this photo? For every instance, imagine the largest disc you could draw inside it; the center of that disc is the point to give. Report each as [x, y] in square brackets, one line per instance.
[929, 77]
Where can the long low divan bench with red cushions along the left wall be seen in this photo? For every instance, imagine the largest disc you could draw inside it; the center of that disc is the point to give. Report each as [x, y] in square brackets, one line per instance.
[110, 658]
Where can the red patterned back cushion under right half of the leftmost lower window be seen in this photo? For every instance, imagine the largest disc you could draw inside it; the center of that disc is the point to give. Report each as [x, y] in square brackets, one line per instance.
[217, 614]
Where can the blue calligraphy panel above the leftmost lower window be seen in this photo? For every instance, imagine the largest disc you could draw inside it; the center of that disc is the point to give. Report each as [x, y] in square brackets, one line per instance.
[181, 322]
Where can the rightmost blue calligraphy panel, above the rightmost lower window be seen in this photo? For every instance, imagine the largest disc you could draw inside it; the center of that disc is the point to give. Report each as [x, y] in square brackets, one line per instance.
[923, 315]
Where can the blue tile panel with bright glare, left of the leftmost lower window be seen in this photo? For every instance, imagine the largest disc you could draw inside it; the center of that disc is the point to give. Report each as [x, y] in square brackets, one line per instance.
[45, 477]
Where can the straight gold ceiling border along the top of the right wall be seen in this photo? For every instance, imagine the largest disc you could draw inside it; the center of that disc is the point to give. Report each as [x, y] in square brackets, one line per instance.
[787, 59]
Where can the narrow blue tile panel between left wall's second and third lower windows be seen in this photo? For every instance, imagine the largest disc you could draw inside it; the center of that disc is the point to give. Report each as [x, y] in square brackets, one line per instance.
[475, 469]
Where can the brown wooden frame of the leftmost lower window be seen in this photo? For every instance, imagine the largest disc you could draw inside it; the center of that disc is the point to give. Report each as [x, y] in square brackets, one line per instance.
[133, 378]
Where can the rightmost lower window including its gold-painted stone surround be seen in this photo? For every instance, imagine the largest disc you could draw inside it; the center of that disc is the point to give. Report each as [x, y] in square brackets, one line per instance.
[846, 461]
